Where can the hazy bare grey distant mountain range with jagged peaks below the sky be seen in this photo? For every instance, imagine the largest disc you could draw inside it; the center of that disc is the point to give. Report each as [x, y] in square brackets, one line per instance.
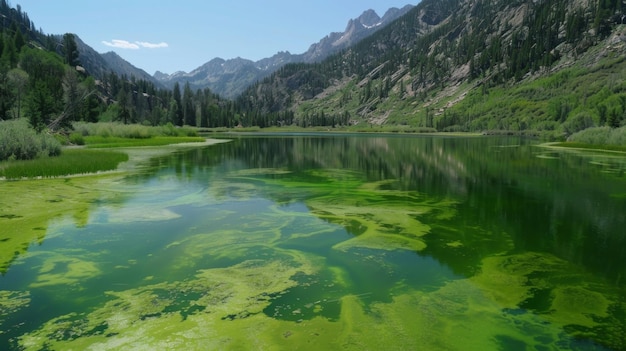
[230, 77]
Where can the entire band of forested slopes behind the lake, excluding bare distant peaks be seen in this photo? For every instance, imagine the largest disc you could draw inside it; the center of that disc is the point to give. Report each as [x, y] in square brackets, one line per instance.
[550, 66]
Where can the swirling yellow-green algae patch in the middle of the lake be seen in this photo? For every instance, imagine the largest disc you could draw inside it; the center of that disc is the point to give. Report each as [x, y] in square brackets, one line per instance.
[378, 216]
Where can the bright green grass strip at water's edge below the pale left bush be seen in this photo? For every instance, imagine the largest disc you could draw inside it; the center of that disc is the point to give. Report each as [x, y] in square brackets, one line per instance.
[72, 161]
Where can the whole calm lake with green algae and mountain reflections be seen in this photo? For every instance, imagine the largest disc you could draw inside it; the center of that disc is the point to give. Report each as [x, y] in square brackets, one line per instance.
[318, 242]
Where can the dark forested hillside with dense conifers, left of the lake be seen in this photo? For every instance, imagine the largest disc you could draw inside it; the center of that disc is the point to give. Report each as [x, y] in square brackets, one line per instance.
[41, 79]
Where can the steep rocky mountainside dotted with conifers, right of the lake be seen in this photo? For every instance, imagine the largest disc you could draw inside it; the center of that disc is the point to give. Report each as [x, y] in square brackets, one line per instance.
[467, 65]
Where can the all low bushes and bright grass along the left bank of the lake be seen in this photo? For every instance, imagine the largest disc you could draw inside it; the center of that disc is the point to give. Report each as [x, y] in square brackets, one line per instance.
[28, 154]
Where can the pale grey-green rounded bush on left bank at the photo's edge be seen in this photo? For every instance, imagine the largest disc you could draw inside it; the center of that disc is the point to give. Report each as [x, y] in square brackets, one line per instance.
[18, 141]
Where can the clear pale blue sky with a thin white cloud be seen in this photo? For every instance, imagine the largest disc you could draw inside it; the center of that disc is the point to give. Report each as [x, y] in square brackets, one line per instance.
[183, 35]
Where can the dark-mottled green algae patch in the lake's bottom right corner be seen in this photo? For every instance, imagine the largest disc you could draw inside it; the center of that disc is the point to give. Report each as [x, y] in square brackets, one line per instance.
[558, 292]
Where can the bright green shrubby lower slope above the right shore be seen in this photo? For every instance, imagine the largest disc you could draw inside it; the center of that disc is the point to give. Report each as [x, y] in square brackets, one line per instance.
[557, 105]
